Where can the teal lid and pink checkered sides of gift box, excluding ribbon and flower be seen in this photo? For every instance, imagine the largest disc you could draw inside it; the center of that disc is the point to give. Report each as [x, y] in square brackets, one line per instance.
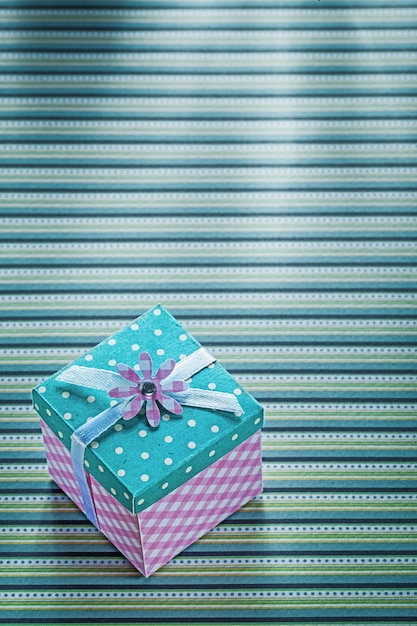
[154, 490]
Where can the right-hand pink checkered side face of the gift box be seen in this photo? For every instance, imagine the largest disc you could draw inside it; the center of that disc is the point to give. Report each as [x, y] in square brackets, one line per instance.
[183, 516]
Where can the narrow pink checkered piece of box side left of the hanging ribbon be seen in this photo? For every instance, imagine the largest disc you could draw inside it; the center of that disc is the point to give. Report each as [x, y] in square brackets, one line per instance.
[60, 465]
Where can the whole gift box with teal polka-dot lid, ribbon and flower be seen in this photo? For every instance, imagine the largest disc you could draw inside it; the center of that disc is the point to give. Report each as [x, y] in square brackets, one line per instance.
[152, 438]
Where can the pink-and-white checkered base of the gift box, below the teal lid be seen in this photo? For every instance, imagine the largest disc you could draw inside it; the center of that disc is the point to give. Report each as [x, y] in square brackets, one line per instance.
[168, 526]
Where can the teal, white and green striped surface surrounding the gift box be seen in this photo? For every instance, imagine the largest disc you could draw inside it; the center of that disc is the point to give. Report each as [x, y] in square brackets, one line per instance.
[252, 166]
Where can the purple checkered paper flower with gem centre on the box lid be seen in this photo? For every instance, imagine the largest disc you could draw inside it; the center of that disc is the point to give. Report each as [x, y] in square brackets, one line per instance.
[149, 389]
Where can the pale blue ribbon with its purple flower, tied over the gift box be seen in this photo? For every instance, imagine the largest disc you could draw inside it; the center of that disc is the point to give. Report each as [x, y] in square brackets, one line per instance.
[167, 387]
